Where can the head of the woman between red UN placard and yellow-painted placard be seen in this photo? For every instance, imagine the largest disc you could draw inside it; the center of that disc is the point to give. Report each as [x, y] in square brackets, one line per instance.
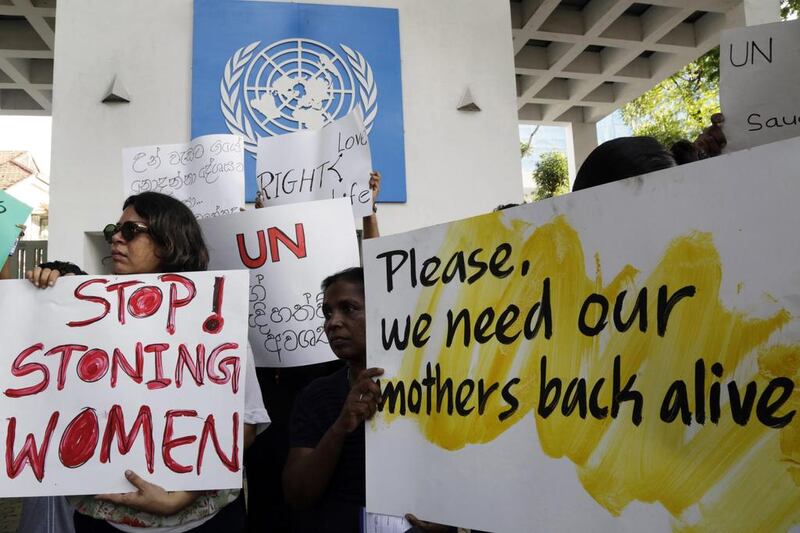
[343, 309]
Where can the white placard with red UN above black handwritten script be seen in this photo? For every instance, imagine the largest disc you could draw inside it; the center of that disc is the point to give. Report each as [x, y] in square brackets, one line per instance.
[289, 250]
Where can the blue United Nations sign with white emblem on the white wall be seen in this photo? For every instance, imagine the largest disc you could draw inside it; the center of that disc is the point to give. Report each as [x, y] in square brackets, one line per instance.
[261, 69]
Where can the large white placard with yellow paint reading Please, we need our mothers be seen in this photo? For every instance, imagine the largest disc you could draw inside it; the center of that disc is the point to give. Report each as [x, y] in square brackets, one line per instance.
[623, 358]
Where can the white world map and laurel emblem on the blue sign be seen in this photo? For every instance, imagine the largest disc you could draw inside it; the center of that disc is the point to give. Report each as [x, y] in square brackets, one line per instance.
[294, 84]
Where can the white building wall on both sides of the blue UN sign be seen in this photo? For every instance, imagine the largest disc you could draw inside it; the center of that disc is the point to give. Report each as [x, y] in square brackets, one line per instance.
[458, 164]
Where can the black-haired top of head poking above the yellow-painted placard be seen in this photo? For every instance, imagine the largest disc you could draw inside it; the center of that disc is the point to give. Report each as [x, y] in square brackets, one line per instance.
[622, 158]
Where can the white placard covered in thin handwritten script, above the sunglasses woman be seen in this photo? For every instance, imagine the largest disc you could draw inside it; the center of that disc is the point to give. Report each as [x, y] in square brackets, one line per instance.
[206, 174]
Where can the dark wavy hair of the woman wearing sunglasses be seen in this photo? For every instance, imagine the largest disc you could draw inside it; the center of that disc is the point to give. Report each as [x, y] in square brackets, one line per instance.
[174, 229]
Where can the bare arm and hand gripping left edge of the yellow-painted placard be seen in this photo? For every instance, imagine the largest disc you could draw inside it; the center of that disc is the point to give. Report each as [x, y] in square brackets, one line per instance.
[308, 470]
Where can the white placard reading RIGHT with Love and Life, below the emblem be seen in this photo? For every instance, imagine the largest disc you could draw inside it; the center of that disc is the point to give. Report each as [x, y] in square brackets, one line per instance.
[332, 162]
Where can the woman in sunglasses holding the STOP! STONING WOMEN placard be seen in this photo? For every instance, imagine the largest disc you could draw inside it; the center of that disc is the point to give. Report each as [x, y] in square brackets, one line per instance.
[156, 234]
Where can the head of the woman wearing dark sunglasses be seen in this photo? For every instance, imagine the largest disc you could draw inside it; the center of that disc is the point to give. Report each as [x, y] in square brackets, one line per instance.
[156, 233]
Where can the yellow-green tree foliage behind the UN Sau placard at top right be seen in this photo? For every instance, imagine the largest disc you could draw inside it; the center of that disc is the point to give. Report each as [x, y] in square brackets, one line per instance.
[681, 106]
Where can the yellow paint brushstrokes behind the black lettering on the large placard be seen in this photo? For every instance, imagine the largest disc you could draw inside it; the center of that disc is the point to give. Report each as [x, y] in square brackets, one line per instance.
[707, 477]
